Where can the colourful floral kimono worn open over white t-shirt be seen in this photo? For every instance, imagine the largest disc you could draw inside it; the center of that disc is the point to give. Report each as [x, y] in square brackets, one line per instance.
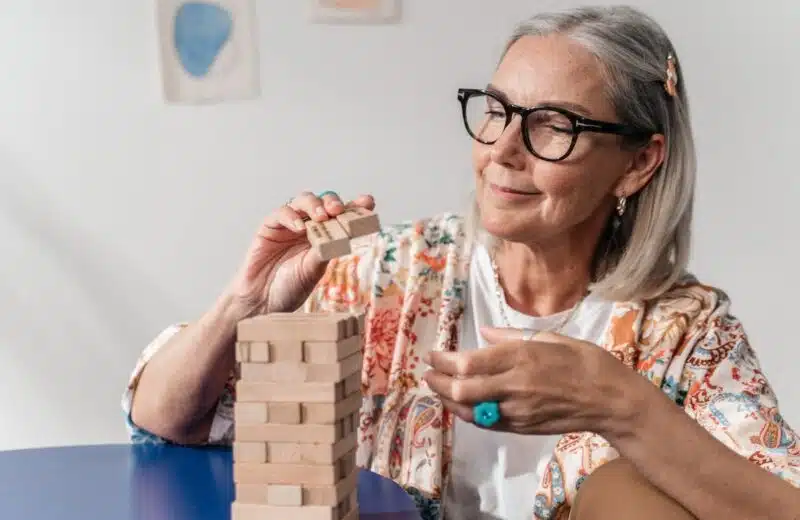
[410, 280]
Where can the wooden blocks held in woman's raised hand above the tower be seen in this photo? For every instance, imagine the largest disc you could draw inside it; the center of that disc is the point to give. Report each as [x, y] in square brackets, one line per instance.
[332, 237]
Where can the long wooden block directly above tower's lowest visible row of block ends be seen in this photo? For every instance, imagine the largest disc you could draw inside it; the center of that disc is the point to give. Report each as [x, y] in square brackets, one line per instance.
[292, 474]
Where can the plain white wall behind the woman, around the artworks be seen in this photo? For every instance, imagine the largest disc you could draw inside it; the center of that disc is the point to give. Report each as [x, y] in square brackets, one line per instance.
[120, 214]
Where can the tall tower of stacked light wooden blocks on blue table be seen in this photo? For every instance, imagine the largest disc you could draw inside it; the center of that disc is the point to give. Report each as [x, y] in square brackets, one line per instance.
[296, 415]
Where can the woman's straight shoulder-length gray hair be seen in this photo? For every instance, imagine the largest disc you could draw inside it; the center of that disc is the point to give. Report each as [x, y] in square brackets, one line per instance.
[647, 251]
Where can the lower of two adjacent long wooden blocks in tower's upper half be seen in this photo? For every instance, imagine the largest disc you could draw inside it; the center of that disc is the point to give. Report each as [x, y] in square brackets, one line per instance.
[258, 392]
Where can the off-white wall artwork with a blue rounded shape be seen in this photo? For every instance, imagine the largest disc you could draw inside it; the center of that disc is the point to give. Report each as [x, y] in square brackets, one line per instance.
[207, 50]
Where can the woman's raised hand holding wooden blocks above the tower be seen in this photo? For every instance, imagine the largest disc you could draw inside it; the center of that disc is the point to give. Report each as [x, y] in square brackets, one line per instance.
[281, 269]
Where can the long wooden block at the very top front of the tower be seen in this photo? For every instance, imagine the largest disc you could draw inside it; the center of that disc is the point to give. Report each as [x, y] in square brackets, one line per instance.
[314, 326]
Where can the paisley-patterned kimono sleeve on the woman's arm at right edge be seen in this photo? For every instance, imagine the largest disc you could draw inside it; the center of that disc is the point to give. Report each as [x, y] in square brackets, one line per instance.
[729, 395]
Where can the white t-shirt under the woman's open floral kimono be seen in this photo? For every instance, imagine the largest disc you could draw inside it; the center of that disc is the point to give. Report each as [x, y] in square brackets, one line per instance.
[495, 474]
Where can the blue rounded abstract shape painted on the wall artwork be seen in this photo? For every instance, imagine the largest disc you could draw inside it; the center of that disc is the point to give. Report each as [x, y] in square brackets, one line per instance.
[201, 31]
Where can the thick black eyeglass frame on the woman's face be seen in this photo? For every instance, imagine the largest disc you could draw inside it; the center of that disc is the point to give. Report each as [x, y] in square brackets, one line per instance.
[579, 123]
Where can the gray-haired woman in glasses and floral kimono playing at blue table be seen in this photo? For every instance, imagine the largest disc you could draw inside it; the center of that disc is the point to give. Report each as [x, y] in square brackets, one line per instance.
[550, 336]
